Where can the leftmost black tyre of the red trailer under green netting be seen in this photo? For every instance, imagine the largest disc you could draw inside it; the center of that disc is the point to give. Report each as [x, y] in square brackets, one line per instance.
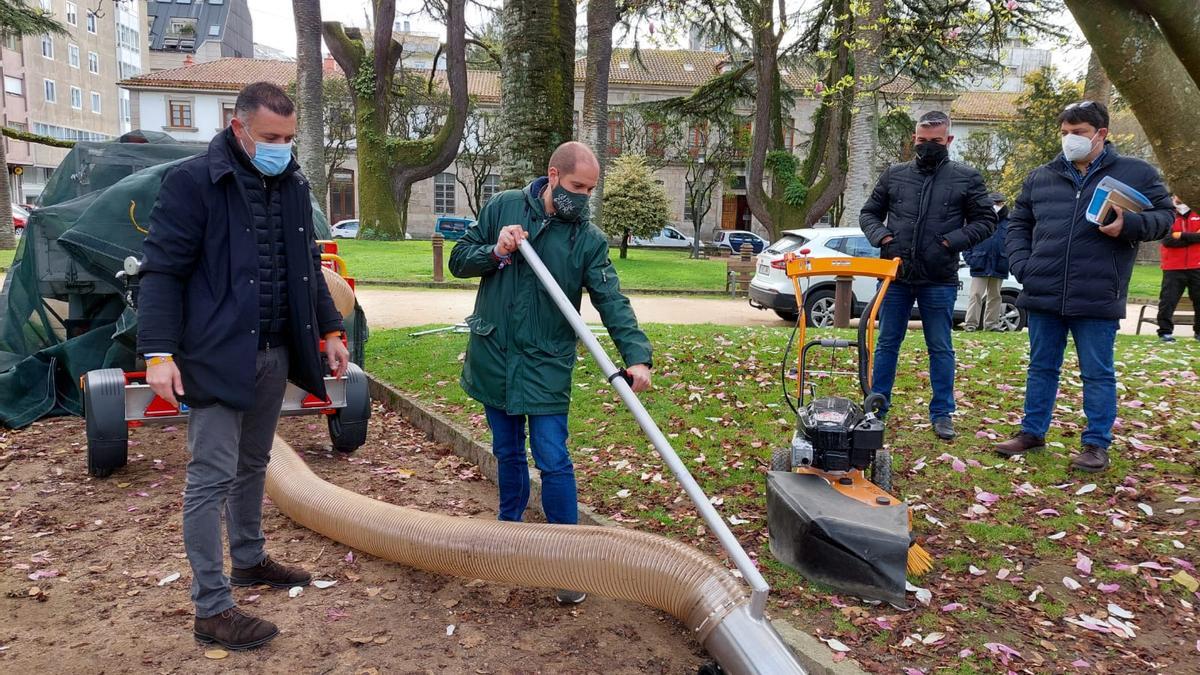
[104, 410]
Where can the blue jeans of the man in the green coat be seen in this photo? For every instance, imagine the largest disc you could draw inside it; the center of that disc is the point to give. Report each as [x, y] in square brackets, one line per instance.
[548, 441]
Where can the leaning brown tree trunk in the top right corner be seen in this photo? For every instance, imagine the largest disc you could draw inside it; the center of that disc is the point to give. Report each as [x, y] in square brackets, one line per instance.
[1155, 81]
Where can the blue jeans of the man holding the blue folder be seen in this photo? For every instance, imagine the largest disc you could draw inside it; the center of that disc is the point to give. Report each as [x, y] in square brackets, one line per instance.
[1094, 339]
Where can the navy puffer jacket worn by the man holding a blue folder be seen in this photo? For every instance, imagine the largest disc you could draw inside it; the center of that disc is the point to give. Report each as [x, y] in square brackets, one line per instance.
[1067, 266]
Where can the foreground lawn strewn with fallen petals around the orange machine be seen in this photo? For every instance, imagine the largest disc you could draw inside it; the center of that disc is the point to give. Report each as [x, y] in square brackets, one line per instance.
[1000, 568]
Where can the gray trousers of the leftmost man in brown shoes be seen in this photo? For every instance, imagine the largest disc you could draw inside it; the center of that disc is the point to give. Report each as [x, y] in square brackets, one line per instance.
[227, 473]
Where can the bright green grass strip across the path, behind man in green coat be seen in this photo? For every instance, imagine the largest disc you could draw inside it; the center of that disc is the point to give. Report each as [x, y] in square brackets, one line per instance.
[413, 261]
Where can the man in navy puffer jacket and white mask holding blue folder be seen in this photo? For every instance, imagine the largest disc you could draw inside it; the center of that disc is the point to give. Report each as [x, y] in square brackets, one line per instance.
[1076, 276]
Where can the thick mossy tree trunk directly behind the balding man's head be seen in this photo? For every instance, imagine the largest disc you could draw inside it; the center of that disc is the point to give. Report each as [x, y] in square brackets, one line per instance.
[538, 88]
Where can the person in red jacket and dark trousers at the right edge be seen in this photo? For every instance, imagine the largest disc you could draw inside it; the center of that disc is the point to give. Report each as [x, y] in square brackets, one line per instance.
[1181, 270]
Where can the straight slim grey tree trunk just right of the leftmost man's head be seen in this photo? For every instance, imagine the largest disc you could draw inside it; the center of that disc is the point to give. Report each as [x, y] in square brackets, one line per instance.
[309, 94]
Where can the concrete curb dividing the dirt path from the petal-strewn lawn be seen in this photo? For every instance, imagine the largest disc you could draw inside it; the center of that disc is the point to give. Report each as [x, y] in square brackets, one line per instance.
[813, 655]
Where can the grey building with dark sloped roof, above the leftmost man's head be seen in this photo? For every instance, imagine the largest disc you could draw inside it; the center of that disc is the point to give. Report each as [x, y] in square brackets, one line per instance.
[199, 32]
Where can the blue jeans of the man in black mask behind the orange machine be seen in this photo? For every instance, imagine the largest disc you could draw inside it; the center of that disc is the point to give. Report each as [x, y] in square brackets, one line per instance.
[937, 306]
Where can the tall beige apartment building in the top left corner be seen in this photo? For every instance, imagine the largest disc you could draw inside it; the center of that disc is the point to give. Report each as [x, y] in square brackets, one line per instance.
[65, 86]
